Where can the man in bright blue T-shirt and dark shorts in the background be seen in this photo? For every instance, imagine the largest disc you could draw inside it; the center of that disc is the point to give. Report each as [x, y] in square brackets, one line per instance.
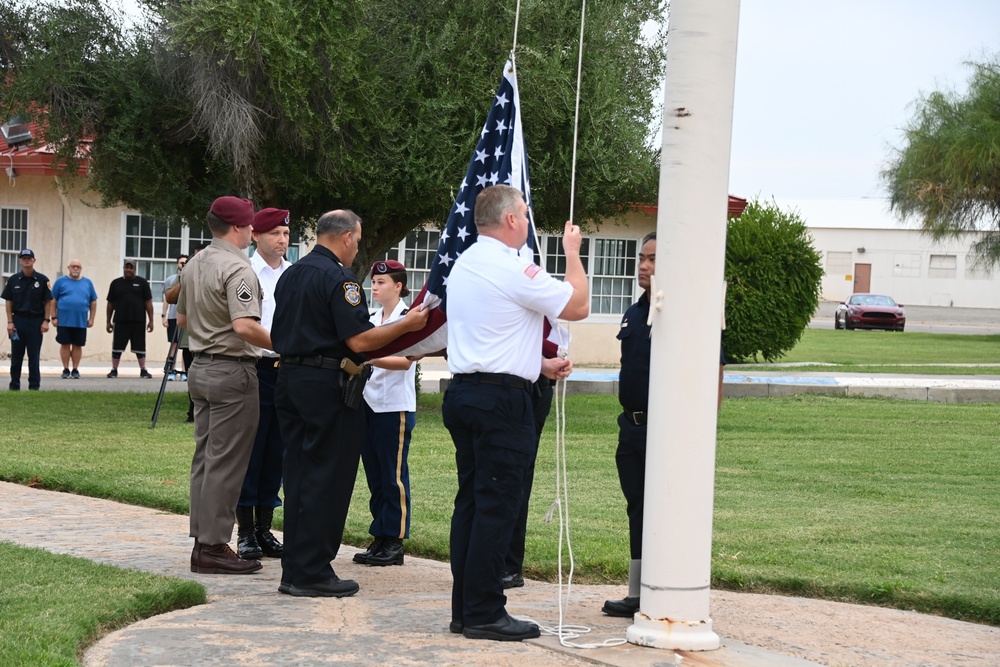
[75, 307]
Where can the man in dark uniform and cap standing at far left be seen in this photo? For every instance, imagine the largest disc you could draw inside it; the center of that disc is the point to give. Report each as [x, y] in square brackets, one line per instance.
[28, 302]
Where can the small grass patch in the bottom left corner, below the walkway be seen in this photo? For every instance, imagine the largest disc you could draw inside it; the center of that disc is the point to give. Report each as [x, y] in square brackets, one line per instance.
[54, 605]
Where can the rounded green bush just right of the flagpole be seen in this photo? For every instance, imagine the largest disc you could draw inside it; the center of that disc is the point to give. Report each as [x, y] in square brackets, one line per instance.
[773, 274]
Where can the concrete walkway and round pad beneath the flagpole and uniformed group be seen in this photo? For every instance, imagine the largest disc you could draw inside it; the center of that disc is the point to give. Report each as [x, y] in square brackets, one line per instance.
[401, 615]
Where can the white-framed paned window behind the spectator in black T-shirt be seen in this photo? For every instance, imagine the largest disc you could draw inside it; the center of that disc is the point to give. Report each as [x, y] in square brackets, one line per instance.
[155, 246]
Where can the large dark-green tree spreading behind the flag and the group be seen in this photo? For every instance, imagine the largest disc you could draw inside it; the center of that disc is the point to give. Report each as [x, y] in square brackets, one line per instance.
[373, 105]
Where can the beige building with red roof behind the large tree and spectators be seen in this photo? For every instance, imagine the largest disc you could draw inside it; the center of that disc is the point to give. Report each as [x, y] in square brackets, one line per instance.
[60, 224]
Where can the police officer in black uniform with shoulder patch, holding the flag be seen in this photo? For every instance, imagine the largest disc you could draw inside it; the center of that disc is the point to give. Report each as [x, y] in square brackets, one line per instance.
[321, 318]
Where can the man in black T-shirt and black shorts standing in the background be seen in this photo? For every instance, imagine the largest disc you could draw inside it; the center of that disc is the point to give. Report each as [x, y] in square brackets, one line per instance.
[130, 304]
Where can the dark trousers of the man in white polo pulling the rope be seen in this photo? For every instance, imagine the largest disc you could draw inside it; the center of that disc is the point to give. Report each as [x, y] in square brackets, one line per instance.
[494, 434]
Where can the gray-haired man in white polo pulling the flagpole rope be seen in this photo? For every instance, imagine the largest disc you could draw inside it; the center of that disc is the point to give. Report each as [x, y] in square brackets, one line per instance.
[497, 303]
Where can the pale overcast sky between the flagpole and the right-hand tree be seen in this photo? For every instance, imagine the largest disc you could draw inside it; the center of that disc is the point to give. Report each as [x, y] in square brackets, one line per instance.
[823, 87]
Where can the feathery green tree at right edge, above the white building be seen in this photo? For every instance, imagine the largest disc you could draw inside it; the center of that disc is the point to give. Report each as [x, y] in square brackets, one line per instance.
[946, 176]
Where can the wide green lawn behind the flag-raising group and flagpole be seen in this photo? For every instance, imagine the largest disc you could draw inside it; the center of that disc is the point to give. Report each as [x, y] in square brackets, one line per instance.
[863, 500]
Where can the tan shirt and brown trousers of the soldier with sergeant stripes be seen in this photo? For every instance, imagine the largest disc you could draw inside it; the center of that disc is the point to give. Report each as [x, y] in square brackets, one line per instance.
[218, 285]
